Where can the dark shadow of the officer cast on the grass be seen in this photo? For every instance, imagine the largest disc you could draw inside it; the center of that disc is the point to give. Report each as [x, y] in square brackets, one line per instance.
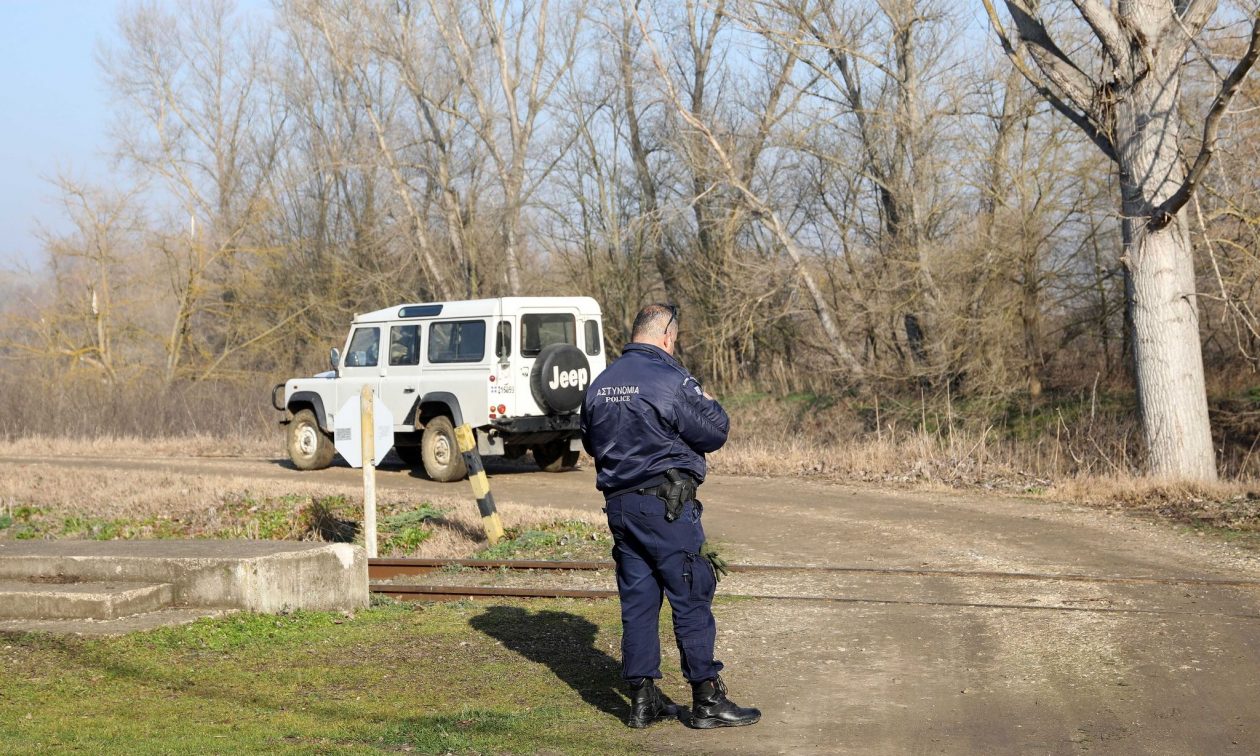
[566, 644]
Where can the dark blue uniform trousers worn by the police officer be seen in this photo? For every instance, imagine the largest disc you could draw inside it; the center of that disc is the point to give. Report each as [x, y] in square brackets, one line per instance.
[657, 559]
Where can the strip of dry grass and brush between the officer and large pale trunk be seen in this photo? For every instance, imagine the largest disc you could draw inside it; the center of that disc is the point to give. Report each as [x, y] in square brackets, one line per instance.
[931, 444]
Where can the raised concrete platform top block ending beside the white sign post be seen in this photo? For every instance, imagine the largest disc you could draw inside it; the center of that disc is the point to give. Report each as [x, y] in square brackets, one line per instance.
[251, 575]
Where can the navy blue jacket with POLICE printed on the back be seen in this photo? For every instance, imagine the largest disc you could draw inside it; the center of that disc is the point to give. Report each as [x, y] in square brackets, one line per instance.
[644, 415]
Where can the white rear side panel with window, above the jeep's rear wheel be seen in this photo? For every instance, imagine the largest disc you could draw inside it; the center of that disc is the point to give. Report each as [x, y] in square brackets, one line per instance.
[457, 361]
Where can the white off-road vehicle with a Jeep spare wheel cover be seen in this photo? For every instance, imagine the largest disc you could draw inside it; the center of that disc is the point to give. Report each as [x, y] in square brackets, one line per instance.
[513, 369]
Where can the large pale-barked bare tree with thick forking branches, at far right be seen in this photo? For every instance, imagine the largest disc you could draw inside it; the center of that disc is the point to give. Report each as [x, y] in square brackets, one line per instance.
[1126, 100]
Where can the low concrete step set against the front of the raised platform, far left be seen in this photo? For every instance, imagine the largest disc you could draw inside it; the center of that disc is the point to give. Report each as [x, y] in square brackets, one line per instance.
[25, 599]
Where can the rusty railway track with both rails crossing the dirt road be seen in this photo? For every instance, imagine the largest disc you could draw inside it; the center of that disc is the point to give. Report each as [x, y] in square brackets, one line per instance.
[382, 570]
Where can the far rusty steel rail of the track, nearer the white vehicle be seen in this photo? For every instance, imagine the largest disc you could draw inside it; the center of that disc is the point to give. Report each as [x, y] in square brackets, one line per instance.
[386, 569]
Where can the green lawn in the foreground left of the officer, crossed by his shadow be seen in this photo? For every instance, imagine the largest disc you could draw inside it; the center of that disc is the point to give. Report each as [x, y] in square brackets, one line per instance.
[442, 679]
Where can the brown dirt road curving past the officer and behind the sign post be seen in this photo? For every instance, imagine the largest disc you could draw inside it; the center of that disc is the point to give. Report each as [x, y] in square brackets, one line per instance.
[925, 651]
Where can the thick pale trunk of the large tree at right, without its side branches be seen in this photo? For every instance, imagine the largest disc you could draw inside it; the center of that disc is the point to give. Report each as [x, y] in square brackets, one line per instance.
[1169, 361]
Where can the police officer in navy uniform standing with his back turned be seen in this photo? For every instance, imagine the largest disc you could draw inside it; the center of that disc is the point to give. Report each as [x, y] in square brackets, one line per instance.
[648, 424]
